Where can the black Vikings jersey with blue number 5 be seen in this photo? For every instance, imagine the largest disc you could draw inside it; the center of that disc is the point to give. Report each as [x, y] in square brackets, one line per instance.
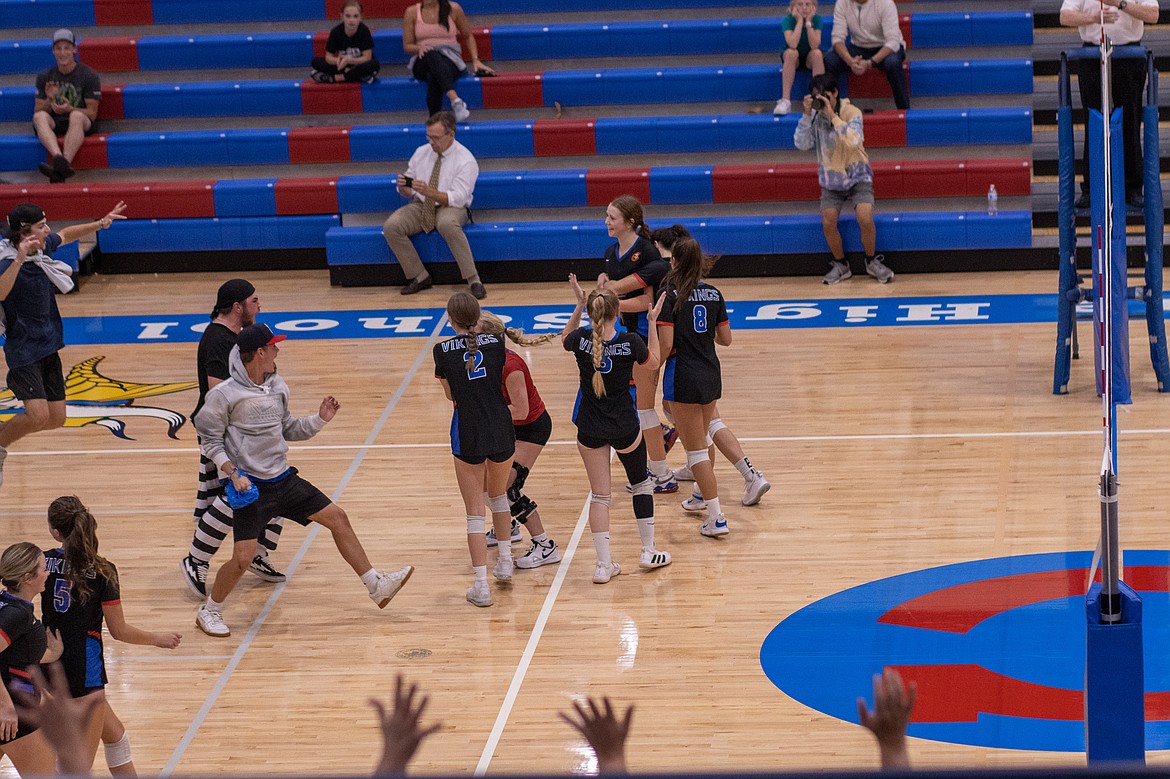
[80, 623]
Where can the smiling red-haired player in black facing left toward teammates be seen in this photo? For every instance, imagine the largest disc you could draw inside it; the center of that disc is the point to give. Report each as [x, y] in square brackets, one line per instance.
[635, 270]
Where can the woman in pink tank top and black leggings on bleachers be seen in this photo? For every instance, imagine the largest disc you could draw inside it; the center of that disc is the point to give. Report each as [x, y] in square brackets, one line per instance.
[431, 32]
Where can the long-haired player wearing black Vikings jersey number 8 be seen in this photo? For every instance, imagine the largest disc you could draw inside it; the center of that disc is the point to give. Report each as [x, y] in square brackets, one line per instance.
[696, 319]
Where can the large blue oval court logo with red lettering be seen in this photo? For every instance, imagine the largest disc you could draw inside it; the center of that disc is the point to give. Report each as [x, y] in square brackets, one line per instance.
[996, 647]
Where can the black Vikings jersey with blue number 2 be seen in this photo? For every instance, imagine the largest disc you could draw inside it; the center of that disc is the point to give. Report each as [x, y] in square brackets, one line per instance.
[481, 424]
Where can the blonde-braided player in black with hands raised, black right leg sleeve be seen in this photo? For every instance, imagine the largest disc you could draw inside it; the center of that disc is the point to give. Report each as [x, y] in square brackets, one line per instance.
[607, 418]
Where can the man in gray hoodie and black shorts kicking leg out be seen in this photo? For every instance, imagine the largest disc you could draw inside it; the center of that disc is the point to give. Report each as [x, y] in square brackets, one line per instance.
[244, 429]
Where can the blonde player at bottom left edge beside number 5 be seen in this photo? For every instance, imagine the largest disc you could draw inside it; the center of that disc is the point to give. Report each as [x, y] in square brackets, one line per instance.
[24, 643]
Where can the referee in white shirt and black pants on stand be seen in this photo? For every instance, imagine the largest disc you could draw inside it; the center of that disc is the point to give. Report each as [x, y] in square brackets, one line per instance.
[1125, 22]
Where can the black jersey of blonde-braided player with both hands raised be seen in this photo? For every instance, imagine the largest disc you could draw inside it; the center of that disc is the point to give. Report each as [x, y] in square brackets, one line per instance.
[615, 416]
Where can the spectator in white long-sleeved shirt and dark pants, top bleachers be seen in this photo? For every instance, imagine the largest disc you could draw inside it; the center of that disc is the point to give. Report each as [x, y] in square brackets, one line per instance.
[876, 42]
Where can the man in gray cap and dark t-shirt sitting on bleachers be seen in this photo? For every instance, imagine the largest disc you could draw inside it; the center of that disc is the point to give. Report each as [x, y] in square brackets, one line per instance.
[67, 98]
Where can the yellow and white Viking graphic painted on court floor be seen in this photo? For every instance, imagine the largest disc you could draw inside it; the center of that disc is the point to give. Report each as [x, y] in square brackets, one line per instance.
[95, 399]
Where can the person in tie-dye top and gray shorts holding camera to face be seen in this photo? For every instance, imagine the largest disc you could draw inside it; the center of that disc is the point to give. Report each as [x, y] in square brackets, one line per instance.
[834, 128]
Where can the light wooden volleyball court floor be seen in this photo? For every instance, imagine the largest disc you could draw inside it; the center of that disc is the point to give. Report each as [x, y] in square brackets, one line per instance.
[890, 450]
